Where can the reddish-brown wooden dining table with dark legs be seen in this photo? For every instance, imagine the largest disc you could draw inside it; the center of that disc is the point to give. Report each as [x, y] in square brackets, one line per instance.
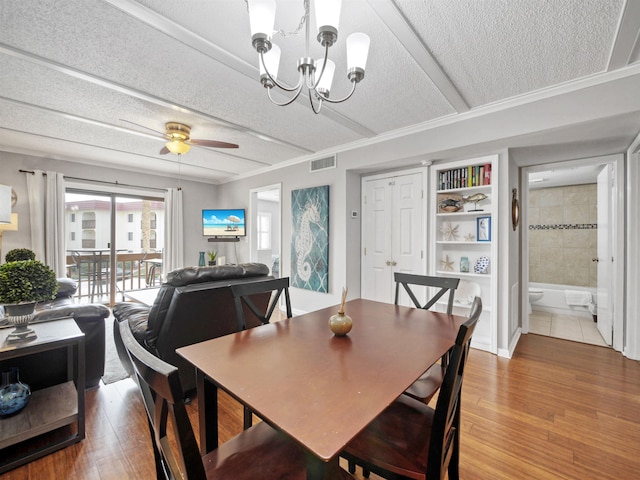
[316, 387]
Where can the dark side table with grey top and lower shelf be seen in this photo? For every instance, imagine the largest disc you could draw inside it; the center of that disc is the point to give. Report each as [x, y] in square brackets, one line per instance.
[60, 407]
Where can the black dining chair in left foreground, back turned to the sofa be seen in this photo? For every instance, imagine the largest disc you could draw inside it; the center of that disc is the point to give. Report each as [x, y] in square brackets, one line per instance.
[258, 452]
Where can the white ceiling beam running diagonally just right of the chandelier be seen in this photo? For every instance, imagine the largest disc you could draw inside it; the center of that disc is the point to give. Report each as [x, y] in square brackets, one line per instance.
[393, 18]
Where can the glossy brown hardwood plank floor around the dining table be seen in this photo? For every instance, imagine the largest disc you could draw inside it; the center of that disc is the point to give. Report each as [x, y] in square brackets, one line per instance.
[556, 410]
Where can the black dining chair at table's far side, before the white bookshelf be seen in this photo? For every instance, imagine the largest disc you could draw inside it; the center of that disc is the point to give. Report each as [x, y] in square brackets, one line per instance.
[428, 384]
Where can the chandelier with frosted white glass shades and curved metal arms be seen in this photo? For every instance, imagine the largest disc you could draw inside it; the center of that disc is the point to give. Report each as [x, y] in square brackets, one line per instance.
[315, 75]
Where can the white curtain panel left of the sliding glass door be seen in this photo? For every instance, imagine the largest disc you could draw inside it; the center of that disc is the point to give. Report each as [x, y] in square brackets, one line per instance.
[46, 211]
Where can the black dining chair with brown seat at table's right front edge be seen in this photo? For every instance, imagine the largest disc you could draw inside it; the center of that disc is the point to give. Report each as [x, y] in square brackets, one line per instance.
[412, 440]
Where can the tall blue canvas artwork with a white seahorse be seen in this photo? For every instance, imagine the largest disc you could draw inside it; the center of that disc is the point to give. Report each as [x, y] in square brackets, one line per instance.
[310, 239]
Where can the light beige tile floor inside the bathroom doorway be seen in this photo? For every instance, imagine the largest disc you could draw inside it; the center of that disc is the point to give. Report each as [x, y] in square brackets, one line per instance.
[569, 327]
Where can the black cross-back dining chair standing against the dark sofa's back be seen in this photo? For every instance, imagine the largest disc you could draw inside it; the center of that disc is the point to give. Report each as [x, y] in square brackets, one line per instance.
[242, 293]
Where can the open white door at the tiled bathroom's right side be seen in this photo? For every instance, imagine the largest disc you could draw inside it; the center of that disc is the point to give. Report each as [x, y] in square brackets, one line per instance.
[605, 254]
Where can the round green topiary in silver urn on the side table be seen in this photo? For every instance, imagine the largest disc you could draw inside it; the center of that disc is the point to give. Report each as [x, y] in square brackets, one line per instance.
[23, 283]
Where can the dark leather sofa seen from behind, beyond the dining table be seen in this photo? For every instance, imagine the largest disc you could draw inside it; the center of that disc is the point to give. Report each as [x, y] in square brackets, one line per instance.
[193, 305]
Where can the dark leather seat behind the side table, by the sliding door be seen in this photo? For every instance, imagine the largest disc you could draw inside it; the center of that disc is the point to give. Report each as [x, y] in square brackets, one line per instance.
[48, 368]
